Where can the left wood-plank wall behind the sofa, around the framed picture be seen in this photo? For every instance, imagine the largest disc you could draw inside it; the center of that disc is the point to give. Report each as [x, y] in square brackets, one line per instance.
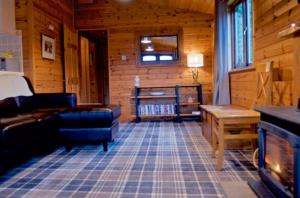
[33, 17]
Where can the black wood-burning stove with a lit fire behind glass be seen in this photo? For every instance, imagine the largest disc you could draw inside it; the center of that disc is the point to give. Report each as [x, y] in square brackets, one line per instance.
[279, 152]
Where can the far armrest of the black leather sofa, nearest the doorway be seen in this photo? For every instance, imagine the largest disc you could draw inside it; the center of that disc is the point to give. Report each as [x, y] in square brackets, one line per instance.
[55, 100]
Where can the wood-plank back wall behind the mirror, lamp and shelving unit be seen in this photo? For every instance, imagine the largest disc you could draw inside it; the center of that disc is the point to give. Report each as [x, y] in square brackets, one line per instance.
[122, 23]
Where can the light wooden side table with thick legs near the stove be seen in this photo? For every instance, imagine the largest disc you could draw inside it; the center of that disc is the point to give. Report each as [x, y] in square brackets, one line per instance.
[230, 118]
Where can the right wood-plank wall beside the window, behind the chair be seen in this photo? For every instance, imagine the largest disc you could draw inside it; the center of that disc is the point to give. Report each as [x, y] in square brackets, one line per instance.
[270, 17]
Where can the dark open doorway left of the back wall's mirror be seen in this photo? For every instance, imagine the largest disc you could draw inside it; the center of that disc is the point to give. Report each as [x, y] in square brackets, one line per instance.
[94, 83]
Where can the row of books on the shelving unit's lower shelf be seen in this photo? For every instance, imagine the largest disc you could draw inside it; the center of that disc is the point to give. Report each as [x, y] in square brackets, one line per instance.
[156, 109]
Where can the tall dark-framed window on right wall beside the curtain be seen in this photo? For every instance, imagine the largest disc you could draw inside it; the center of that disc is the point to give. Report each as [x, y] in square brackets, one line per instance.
[242, 33]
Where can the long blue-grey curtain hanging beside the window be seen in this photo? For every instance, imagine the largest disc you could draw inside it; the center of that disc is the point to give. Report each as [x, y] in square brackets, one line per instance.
[222, 54]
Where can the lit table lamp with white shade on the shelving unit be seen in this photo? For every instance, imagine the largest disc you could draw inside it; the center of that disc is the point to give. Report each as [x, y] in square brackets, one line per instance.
[194, 62]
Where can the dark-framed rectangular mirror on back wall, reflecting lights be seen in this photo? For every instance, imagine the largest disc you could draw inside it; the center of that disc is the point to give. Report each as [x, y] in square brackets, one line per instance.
[159, 49]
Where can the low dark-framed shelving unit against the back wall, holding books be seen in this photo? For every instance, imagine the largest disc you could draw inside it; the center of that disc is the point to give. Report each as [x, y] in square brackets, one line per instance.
[142, 93]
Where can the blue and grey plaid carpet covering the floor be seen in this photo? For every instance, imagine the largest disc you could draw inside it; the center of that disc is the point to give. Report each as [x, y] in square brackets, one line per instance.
[148, 159]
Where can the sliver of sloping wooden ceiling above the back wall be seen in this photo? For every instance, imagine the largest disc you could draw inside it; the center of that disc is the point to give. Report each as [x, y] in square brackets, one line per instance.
[205, 6]
